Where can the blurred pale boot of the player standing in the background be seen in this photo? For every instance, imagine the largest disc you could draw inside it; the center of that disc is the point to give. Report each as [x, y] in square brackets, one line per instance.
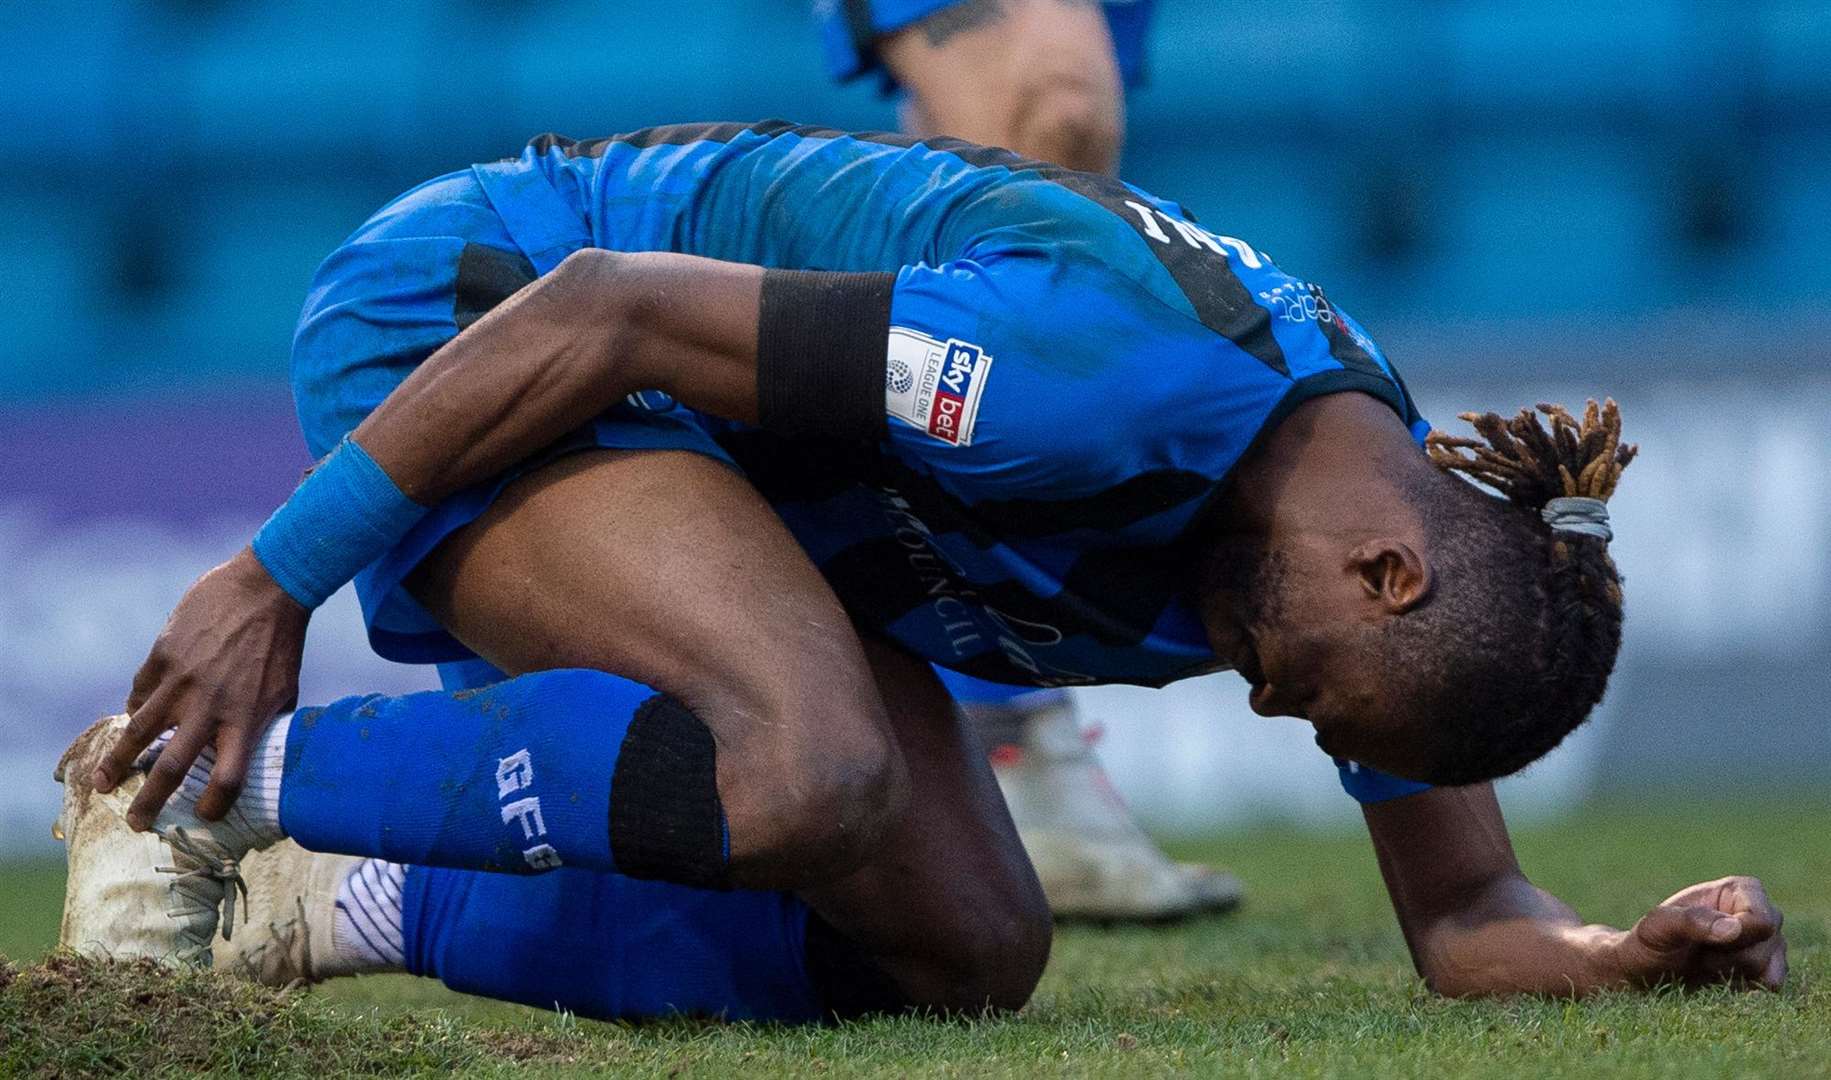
[1092, 858]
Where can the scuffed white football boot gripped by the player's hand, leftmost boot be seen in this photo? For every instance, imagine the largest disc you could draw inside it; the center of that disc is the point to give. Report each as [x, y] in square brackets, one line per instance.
[160, 894]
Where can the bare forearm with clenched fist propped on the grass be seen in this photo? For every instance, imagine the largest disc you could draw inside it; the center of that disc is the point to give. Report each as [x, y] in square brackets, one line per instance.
[1479, 927]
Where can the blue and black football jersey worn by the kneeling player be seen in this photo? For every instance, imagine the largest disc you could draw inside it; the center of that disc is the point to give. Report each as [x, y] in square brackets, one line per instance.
[1070, 373]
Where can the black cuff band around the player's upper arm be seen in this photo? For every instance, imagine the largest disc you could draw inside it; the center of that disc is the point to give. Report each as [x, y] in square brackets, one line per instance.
[821, 347]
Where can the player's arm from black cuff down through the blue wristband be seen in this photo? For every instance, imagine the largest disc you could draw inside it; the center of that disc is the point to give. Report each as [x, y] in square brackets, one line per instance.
[548, 360]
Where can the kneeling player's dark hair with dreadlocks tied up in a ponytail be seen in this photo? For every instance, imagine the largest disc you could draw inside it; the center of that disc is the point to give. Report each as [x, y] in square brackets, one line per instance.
[1521, 638]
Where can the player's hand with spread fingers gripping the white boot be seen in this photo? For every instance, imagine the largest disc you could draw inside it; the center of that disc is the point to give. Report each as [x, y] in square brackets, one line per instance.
[224, 665]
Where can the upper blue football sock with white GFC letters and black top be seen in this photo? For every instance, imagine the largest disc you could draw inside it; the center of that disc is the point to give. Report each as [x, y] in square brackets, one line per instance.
[569, 768]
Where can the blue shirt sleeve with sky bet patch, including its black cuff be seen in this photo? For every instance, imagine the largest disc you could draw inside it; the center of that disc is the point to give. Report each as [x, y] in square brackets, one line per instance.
[1015, 371]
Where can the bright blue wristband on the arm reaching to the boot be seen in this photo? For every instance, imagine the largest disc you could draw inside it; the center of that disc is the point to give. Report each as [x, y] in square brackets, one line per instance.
[347, 515]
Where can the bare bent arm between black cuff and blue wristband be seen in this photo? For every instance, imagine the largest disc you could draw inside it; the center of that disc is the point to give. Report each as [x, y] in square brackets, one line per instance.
[559, 352]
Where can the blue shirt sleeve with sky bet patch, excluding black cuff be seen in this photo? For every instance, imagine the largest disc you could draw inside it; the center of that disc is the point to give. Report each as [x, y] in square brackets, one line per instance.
[1037, 374]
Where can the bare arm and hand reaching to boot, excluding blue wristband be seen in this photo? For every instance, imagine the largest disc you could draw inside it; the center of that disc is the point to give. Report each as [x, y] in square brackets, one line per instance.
[556, 354]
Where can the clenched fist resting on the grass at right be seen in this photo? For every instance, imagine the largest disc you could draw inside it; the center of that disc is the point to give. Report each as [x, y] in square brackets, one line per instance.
[1717, 933]
